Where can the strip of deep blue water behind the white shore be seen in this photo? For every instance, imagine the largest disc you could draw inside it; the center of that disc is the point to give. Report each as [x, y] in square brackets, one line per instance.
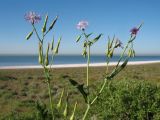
[28, 60]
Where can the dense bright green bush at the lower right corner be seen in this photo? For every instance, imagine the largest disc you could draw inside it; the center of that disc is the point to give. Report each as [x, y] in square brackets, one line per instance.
[129, 100]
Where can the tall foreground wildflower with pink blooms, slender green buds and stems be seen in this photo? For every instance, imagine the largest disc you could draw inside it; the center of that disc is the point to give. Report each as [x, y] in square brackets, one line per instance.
[84, 89]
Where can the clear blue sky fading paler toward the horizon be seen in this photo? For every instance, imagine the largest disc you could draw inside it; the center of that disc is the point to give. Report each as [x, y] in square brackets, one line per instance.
[104, 16]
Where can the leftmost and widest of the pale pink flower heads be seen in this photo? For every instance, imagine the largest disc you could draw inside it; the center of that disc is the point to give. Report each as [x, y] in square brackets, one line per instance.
[32, 17]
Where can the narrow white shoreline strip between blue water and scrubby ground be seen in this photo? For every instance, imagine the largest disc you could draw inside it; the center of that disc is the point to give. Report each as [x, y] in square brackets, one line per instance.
[78, 65]
